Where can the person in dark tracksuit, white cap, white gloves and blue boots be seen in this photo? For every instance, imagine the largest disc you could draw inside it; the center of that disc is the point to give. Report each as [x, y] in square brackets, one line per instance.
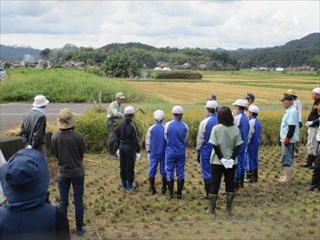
[129, 149]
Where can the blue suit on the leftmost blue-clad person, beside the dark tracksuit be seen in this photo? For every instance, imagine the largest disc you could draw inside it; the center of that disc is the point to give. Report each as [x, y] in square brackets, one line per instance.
[156, 146]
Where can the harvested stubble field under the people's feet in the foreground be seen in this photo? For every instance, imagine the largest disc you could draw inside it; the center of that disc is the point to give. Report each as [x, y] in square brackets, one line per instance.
[264, 210]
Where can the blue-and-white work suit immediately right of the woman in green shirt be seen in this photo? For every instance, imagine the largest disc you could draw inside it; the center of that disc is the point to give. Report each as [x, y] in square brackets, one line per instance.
[242, 123]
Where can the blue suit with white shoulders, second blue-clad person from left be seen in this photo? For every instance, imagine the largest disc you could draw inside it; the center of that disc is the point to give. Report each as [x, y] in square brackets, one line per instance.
[176, 133]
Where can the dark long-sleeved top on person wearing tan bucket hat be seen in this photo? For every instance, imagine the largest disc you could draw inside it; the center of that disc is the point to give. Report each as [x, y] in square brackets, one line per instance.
[68, 147]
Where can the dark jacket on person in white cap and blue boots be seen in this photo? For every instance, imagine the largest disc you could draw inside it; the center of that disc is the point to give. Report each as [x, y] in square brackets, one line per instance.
[128, 133]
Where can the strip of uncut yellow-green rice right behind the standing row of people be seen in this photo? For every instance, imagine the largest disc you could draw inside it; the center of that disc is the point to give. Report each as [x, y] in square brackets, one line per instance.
[93, 126]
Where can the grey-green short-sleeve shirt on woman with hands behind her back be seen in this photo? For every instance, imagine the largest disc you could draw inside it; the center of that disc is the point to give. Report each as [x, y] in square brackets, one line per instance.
[226, 138]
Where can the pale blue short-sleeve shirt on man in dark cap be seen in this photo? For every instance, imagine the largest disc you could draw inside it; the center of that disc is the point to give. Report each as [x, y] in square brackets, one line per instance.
[290, 117]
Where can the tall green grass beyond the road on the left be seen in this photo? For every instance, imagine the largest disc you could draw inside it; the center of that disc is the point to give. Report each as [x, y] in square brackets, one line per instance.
[65, 85]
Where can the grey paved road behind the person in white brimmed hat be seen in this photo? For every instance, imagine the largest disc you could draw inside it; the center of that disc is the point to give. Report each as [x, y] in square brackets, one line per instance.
[11, 114]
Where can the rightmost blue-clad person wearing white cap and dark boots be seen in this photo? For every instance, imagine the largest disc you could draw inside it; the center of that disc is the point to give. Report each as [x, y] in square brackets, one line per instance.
[253, 143]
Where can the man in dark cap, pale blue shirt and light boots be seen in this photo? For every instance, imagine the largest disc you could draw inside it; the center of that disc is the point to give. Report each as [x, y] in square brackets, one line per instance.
[289, 135]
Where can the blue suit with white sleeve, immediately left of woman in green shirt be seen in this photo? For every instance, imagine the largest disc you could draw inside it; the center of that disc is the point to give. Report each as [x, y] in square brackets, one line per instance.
[203, 145]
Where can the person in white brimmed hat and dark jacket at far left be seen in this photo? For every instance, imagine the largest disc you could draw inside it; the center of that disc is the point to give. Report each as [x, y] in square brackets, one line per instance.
[33, 126]
